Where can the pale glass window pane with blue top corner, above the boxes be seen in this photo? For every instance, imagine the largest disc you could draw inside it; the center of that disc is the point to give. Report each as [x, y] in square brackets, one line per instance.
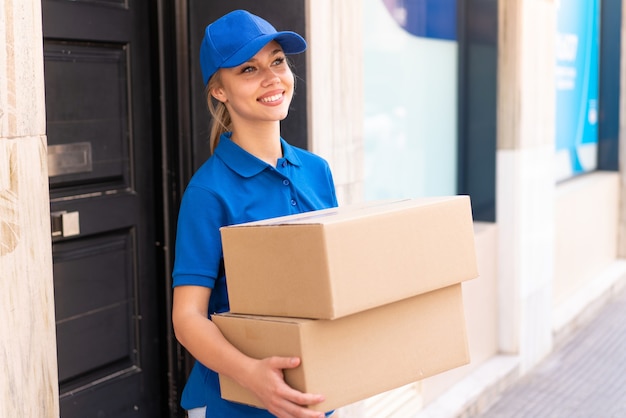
[410, 75]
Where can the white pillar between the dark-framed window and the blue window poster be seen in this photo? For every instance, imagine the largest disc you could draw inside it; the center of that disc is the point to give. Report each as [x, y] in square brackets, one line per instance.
[525, 190]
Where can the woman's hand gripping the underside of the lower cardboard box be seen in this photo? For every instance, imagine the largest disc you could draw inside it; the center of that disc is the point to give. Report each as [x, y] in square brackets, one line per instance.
[267, 381]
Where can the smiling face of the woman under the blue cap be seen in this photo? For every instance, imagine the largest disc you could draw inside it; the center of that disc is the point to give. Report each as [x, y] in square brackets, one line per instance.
[258, 90]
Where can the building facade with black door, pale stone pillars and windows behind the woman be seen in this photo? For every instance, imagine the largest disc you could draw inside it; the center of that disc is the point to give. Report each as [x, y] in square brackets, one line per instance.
[102, 125]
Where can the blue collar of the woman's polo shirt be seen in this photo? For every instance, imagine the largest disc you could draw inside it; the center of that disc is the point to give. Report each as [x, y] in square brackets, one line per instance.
[244, 163]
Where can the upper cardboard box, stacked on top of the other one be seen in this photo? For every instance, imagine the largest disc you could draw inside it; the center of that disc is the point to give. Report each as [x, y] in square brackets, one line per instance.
[335, 262]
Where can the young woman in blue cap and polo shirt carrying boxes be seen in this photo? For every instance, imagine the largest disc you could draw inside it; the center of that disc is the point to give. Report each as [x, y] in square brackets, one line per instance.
[252, 174]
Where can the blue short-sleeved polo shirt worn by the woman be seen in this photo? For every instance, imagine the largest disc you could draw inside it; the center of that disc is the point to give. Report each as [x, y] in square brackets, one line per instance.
[233, 187]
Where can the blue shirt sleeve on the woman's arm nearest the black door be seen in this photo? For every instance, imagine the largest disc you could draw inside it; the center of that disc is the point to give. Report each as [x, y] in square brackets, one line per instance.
[198, 242]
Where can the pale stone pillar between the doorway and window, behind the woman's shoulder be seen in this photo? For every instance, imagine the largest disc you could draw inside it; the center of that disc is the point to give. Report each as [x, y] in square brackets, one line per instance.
[335, 89]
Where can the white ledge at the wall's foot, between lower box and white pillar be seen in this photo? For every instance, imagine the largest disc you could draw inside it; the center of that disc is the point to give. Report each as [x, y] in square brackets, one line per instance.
[477, 391]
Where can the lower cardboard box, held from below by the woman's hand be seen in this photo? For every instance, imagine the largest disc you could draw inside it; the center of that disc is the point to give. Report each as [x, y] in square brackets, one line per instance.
[357, 356]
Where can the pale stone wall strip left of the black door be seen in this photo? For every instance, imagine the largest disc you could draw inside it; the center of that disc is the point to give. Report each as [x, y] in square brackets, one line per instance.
[28, 381]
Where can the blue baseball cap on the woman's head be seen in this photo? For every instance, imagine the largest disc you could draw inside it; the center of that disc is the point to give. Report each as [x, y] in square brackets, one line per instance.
[236, 37]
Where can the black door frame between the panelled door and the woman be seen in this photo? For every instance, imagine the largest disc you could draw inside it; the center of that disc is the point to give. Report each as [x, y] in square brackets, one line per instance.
[172, 125]
